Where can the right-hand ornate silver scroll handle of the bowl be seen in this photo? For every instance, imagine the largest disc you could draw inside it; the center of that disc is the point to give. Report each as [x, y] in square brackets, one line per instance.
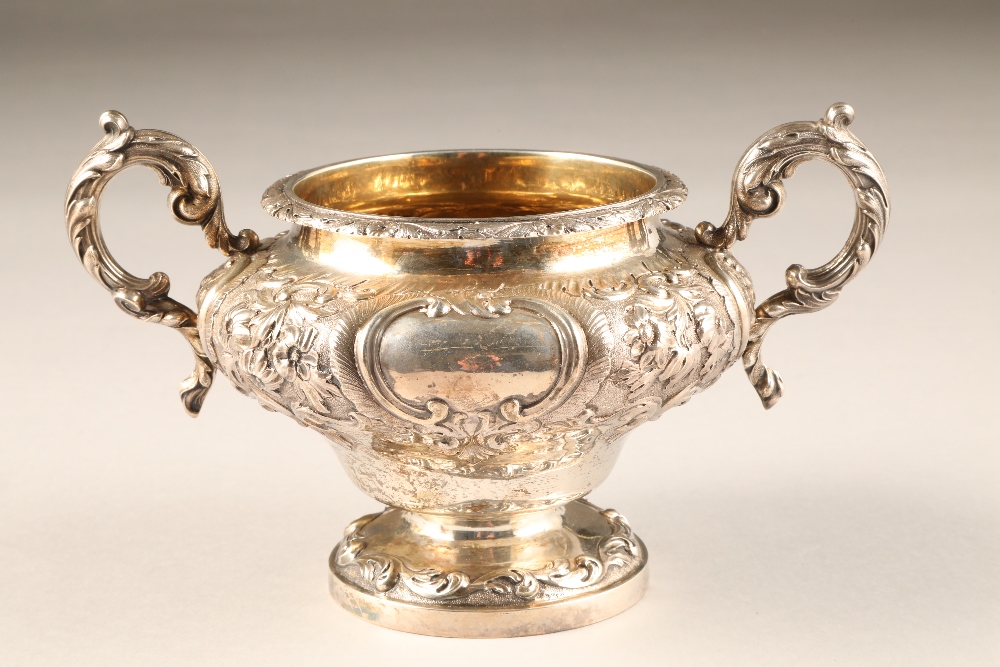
[758, 193]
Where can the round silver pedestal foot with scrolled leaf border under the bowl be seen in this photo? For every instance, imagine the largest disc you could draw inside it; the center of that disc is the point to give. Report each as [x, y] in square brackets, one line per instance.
[507, 576]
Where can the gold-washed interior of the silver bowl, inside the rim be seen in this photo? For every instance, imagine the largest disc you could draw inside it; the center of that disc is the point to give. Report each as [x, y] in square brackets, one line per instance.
[474, 184]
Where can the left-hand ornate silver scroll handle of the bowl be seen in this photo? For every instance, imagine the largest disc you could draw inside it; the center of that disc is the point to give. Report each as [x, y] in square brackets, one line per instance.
[194, 200]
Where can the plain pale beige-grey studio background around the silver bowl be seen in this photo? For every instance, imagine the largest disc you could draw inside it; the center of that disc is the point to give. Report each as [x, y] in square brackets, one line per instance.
[857, 523]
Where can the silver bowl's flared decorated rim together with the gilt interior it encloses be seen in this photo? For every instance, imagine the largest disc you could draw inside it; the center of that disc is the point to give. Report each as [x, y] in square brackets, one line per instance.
[623, 191]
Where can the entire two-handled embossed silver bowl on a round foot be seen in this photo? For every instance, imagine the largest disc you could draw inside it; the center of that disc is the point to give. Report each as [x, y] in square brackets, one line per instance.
[475, 332]
